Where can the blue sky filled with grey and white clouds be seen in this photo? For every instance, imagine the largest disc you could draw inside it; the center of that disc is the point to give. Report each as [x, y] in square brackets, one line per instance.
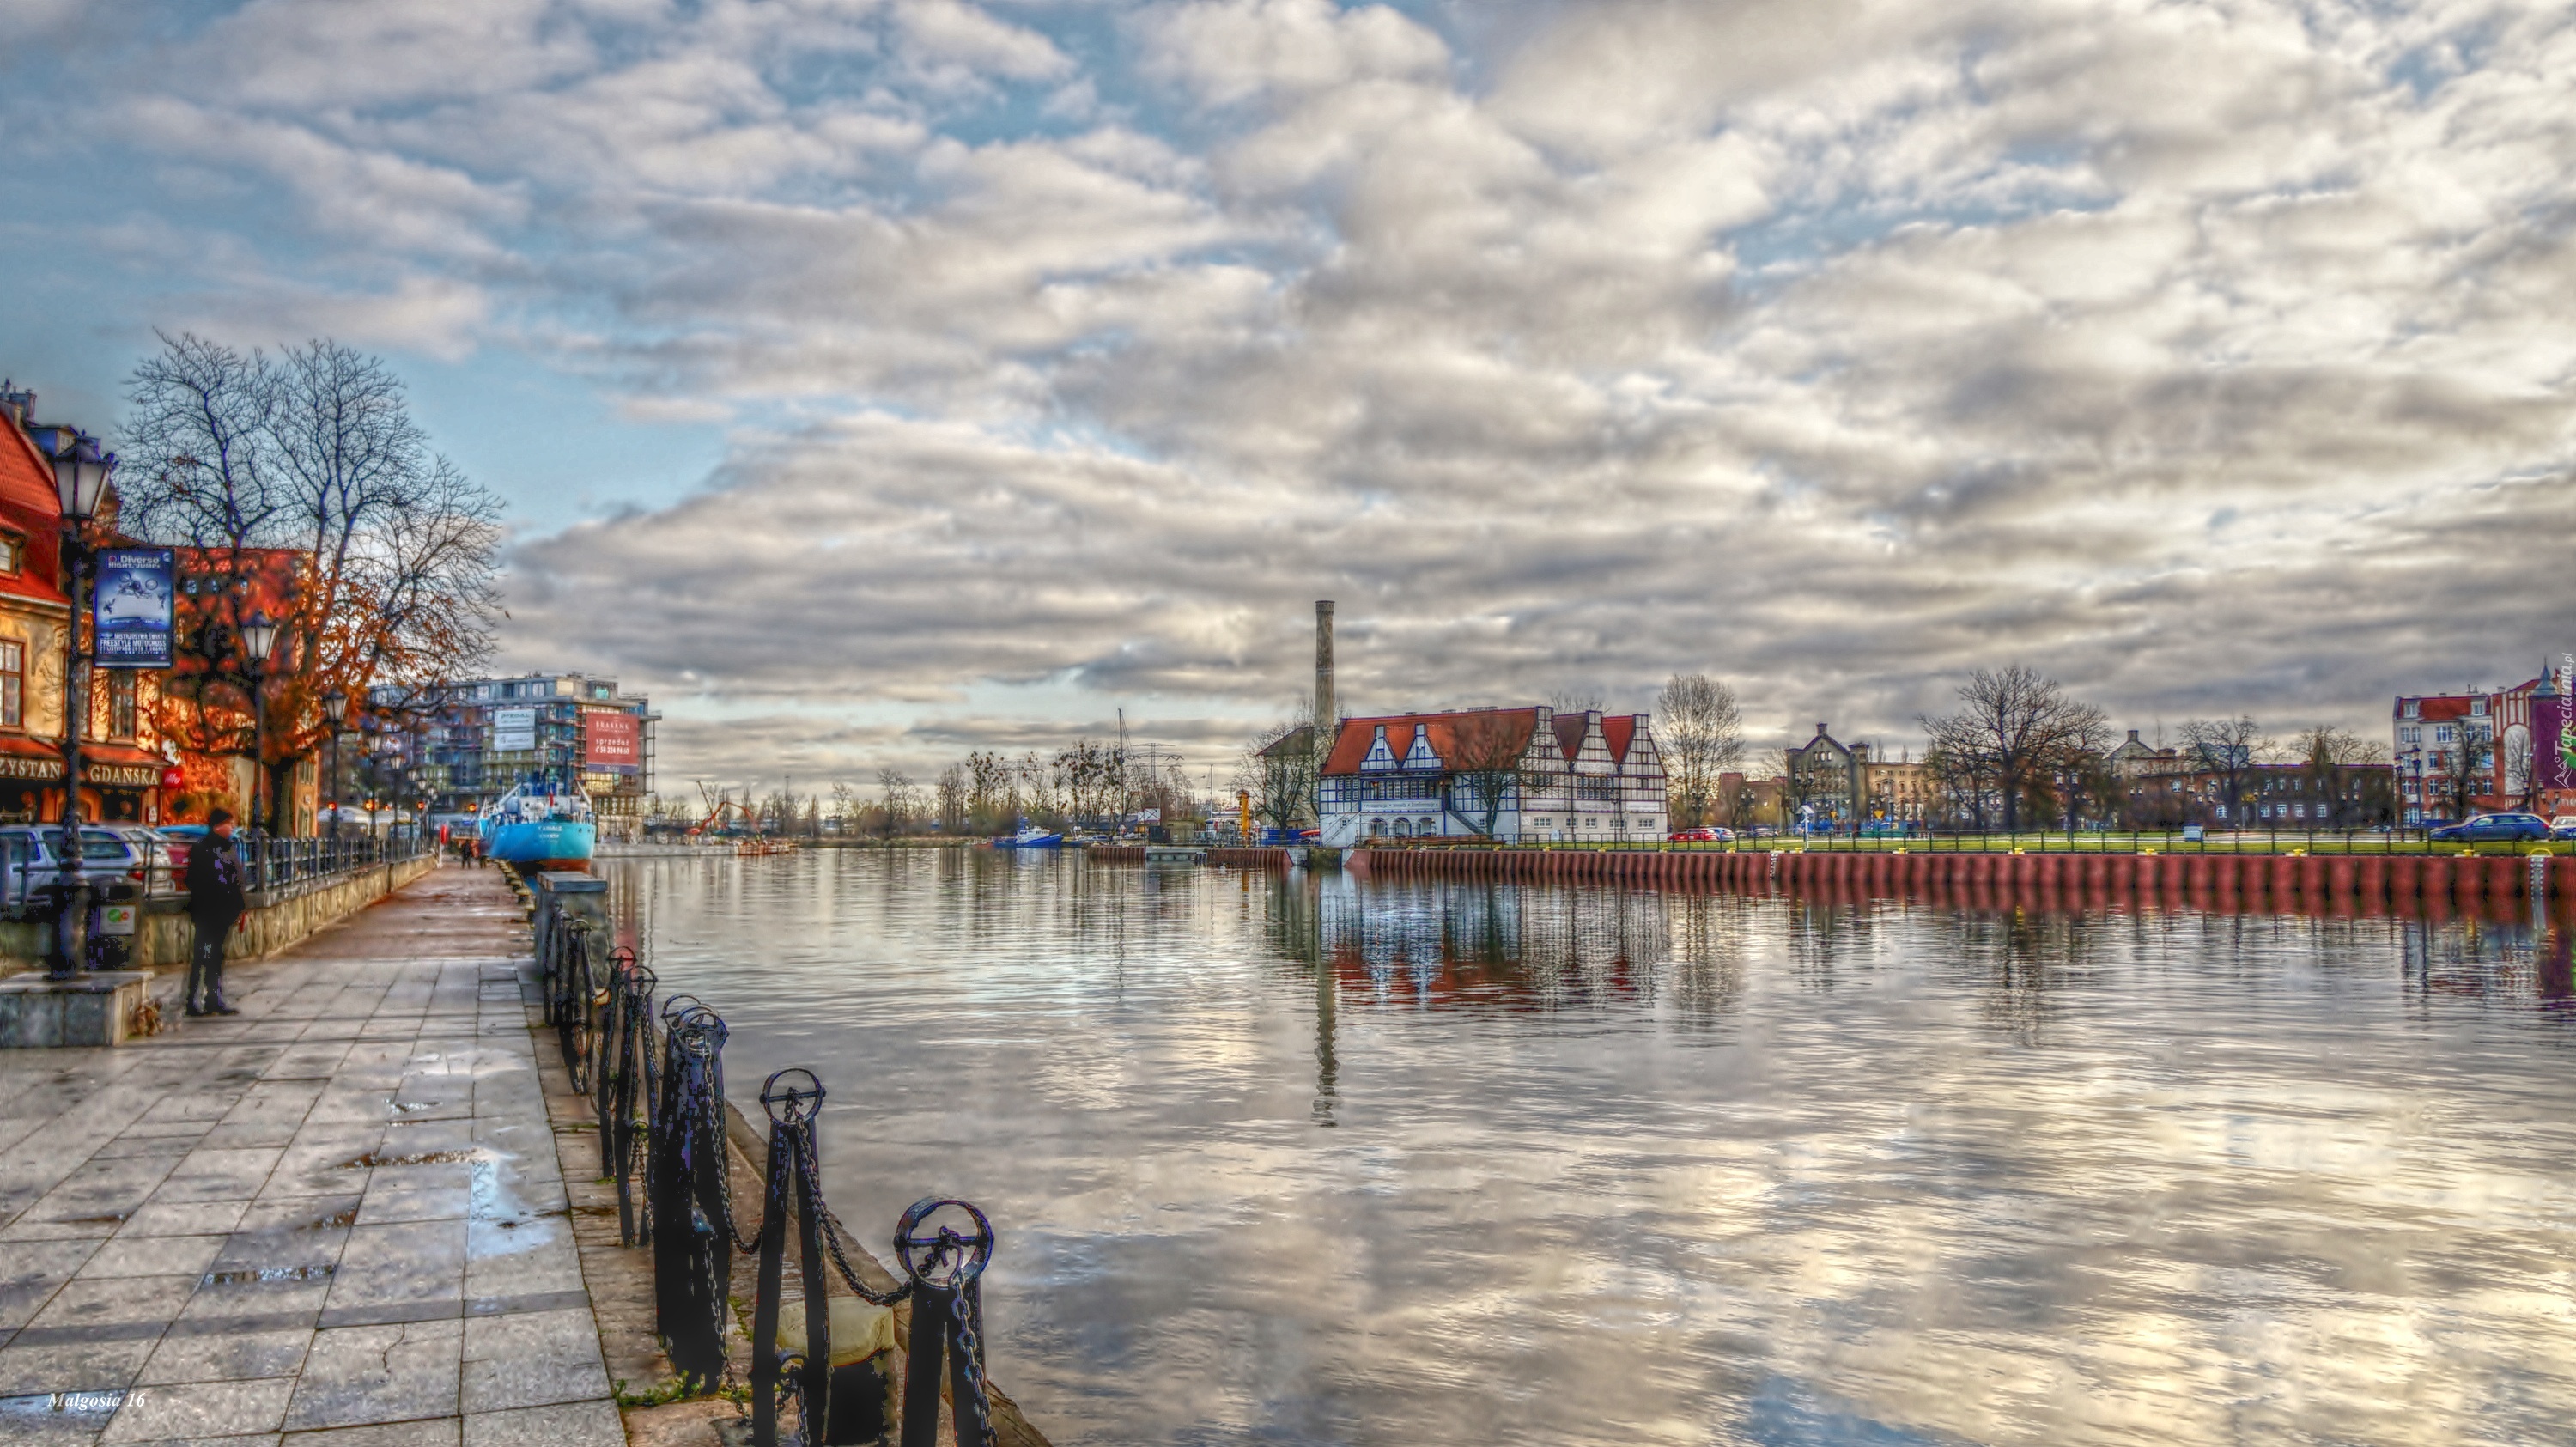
[875, 380]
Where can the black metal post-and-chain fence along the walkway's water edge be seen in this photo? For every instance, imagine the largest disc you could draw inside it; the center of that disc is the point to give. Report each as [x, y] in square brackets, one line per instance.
[656, 1078]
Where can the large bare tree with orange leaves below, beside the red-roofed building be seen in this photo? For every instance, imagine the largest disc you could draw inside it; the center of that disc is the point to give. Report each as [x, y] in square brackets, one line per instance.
[313, 452]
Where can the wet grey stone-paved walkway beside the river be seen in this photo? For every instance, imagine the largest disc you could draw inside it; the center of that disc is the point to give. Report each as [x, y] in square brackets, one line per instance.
[334, 1222]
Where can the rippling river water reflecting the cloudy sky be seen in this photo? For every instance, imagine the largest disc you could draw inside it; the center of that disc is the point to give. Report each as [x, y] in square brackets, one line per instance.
[1315, 1160]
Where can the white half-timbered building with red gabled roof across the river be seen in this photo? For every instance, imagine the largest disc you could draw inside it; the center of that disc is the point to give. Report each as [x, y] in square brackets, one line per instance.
[1580, 779]
